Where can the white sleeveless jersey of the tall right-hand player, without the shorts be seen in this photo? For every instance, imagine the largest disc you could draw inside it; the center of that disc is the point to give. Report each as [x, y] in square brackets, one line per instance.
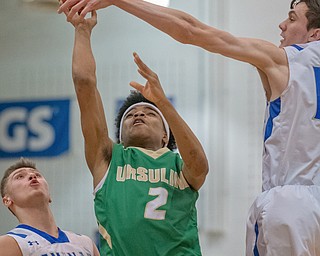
[292, 123]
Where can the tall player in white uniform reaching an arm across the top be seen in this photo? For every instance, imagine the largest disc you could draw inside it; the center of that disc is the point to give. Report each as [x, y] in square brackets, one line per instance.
[284, 220]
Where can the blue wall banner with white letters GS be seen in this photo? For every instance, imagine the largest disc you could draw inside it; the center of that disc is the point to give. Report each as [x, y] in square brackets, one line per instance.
[34, 128]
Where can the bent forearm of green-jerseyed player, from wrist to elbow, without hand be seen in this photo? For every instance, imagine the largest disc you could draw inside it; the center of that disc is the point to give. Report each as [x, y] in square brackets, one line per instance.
[190, 149]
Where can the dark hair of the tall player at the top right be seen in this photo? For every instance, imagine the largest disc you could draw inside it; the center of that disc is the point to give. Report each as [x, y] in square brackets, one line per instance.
[313, 13]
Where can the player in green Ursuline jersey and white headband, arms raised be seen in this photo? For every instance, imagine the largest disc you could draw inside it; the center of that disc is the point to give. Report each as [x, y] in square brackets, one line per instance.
[145, 194]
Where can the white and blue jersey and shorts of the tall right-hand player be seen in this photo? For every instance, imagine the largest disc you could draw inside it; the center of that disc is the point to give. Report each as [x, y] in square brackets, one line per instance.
[285, 218]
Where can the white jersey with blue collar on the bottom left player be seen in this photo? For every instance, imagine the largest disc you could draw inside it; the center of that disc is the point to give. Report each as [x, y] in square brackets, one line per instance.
[34, 242]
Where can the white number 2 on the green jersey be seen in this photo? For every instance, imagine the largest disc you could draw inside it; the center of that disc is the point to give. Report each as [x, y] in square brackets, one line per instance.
[151, 211]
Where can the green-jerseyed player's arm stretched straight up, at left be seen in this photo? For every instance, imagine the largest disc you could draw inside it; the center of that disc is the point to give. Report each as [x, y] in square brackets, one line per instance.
[98, 145]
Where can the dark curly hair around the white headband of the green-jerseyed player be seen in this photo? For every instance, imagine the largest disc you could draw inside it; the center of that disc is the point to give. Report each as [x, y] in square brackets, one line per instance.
[133, 98]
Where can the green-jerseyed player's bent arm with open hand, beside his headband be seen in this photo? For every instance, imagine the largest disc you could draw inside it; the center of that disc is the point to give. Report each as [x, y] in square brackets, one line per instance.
[195, 161]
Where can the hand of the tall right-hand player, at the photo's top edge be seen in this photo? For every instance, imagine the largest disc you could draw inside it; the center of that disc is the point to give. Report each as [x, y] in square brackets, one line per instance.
[81, 7]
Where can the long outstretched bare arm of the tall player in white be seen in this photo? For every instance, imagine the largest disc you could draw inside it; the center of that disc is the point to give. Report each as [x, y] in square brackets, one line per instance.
[267, 57]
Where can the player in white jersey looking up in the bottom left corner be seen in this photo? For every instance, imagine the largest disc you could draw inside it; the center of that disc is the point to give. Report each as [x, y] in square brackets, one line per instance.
[26, 194]
